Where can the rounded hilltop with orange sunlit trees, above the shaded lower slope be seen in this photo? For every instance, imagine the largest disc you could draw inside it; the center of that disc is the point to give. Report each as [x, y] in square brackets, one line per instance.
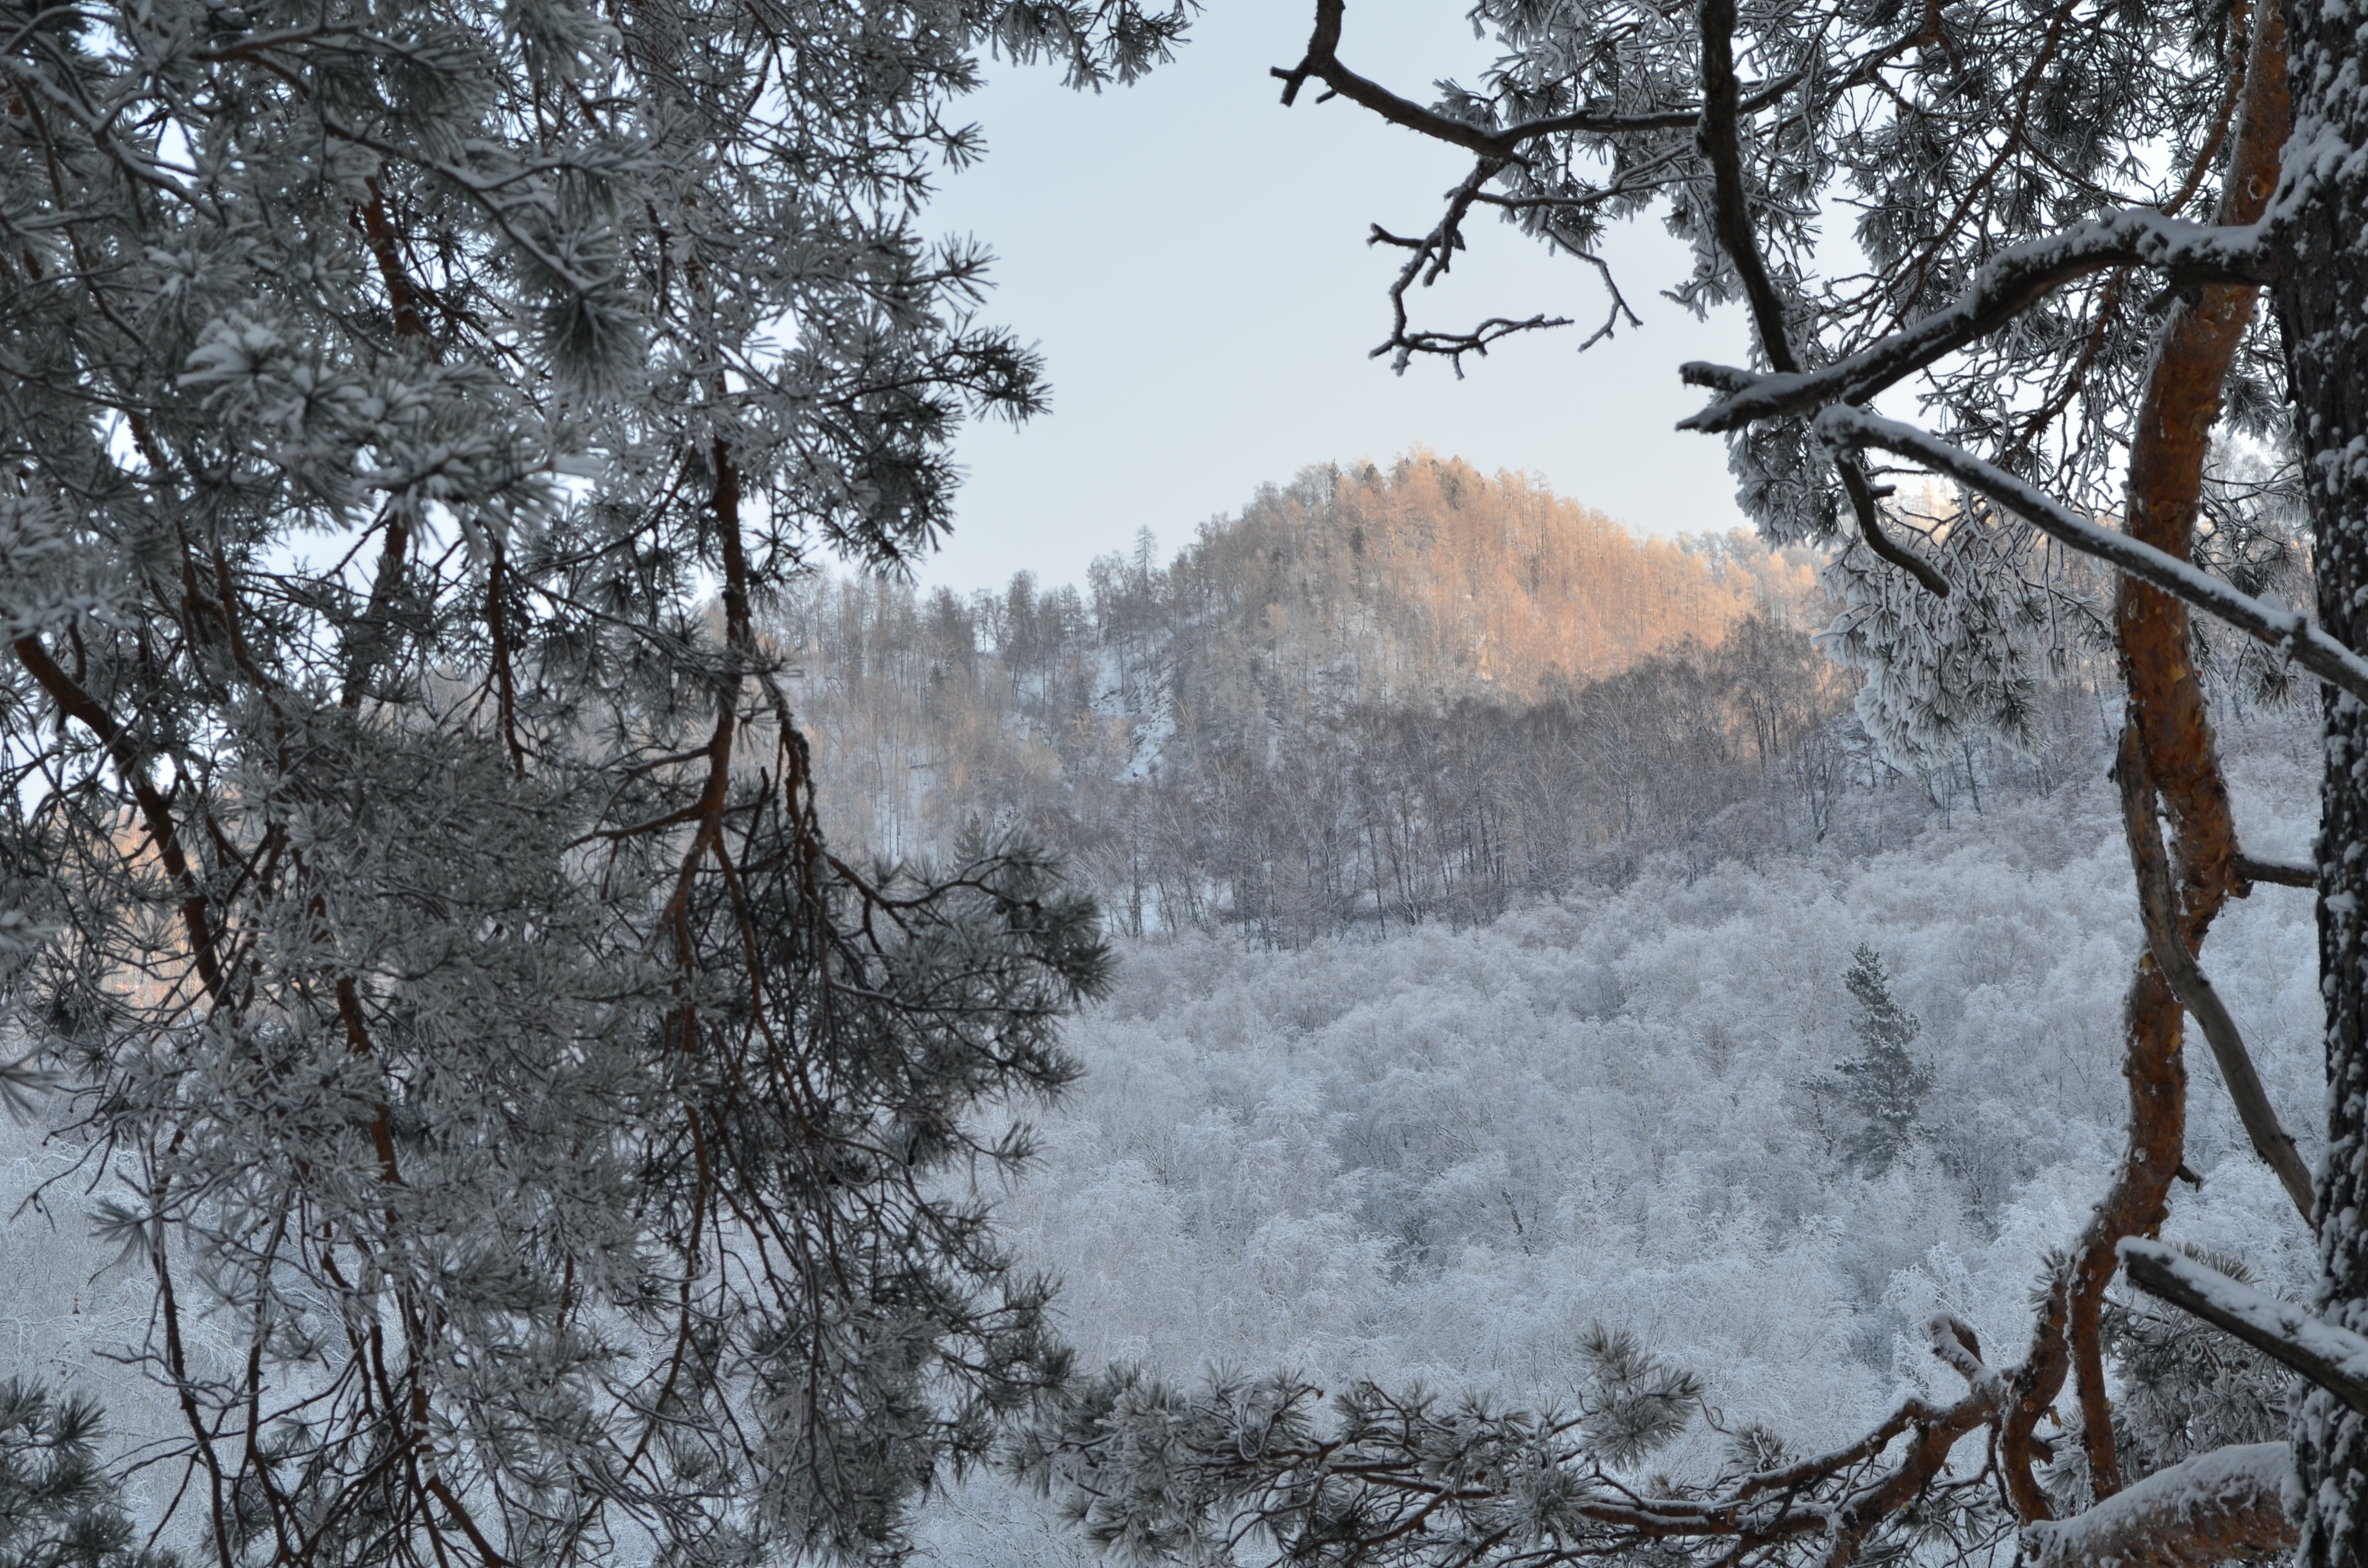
[1420, 586]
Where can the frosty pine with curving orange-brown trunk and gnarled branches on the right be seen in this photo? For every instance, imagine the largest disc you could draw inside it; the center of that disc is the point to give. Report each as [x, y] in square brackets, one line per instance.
[2064, 231]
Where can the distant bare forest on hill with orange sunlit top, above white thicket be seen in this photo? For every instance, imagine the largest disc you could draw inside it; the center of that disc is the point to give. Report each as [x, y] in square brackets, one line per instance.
[1372, 700]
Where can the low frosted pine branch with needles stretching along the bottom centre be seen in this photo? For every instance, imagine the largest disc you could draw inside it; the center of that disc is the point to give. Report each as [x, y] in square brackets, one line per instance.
[1413, 1482]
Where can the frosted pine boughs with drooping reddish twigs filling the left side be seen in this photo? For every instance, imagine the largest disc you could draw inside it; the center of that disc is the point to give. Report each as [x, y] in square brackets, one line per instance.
[543, 1148]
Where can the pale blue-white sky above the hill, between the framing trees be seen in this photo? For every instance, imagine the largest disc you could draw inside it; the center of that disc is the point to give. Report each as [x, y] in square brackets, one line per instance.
[1190, 257]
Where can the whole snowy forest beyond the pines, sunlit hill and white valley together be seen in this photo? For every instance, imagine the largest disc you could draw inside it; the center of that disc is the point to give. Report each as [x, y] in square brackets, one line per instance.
[1521, 944]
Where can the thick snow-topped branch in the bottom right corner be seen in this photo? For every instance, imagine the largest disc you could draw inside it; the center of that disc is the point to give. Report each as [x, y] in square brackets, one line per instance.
[2211, 1510]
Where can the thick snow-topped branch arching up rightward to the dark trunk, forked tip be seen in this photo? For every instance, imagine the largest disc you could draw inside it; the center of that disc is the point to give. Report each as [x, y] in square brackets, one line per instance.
[2002, 290]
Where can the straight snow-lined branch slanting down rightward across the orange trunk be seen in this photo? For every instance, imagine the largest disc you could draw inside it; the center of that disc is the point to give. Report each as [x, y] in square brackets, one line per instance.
[2282, 629]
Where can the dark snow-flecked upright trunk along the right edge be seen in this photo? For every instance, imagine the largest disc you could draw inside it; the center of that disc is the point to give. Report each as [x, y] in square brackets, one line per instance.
[2324, 309]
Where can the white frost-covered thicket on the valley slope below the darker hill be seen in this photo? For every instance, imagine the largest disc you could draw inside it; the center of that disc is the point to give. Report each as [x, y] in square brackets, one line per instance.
[1443, 1159]
